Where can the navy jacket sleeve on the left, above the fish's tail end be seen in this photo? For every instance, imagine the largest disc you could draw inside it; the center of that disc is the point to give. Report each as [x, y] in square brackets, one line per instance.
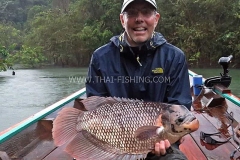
[95, 82]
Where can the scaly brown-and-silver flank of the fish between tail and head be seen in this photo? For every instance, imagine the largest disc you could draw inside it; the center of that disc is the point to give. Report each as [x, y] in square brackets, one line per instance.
[118, 126]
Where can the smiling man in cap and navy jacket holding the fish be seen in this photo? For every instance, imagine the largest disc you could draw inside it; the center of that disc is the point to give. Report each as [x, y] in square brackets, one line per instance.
[140, 64]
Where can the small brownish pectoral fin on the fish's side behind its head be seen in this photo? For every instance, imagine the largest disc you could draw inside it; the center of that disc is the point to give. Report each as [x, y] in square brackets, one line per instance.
[146, 132]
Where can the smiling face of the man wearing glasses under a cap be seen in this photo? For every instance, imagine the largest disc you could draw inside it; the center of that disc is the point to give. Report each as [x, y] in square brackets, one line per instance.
[139, 21]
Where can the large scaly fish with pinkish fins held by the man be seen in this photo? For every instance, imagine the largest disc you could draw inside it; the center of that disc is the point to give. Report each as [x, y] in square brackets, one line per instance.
[114, 128]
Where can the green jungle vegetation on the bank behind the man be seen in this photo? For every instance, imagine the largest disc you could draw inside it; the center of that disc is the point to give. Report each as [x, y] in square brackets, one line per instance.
[66, 32]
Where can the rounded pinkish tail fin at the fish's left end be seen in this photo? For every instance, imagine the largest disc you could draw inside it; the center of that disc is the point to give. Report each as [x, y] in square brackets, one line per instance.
[65, 125]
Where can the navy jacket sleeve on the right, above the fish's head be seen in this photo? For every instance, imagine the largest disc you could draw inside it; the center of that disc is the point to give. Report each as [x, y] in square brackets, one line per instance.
[178, 90]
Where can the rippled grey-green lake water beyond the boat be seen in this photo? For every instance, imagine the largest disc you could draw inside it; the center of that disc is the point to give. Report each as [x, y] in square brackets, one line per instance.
[32, 90]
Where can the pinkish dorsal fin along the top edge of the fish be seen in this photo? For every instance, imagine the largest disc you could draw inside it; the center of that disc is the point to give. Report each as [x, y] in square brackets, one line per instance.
[94, 102]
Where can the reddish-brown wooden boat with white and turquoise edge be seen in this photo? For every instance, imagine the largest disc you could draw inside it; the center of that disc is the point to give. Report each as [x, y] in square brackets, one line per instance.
[31, 139]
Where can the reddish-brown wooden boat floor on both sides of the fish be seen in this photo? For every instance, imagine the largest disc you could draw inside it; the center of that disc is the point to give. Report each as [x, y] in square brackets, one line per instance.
[35, 142]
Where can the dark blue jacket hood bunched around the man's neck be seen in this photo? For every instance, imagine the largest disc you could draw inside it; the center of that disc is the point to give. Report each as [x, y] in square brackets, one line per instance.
[156, 41]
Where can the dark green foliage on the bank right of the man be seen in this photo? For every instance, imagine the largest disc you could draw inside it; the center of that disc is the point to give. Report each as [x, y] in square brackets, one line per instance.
[205, 30]
